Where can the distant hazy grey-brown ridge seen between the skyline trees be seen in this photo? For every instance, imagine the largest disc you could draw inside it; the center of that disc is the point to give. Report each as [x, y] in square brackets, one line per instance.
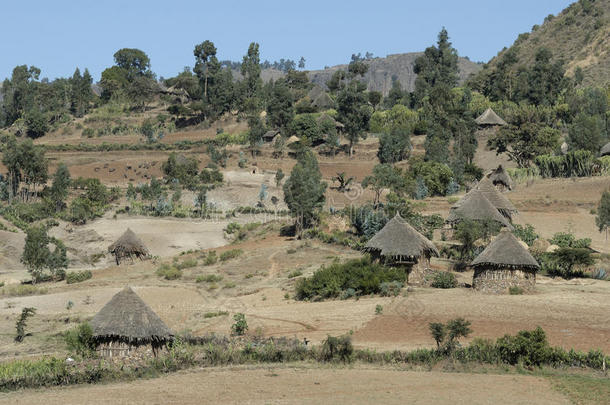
[381, 72]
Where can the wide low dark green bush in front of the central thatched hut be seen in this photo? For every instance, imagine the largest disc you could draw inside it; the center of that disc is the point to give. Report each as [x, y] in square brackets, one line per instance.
[360, 275]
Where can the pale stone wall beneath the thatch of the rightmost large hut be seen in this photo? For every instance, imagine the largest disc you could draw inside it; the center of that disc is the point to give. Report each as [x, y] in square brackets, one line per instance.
[499, 280]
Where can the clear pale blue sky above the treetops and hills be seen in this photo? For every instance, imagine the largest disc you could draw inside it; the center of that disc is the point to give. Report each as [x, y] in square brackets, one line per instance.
[59, 35]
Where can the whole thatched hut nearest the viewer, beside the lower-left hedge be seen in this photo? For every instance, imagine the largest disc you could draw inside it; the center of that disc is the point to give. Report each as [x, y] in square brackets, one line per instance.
[126, 326]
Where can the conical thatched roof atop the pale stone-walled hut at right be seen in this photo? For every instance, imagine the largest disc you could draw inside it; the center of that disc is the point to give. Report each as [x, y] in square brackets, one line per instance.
[506, 251]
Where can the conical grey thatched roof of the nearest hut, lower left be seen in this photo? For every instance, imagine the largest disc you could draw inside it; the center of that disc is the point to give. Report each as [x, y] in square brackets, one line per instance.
[127, 318]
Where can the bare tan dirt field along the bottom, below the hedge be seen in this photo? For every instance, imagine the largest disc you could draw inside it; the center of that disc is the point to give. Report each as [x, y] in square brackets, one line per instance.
[292, 385]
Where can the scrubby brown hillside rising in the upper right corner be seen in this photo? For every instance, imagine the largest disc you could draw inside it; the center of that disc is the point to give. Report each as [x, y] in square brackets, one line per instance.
[579, 35]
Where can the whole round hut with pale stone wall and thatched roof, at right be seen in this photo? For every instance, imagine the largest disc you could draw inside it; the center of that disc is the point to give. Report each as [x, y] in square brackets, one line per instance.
[503, 264]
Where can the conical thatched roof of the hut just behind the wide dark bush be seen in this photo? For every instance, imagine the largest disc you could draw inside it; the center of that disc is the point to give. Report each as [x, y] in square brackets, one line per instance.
[399, 239]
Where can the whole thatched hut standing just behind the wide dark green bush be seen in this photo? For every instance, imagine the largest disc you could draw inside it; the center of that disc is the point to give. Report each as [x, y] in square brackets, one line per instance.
[398, 243]
